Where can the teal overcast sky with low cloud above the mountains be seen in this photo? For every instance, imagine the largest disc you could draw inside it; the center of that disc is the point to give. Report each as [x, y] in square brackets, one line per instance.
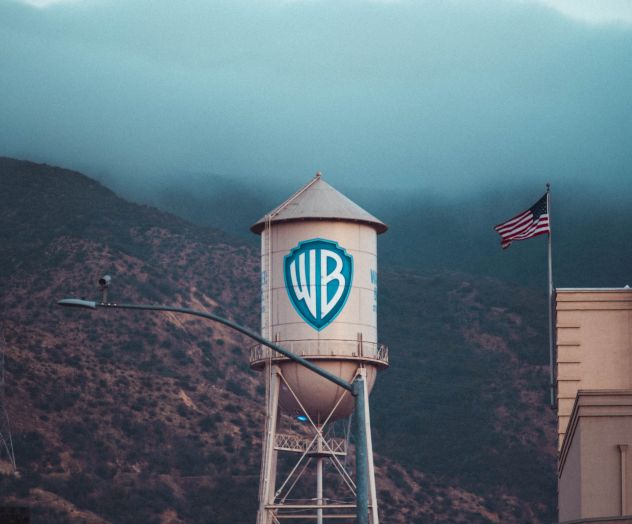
[451, 96]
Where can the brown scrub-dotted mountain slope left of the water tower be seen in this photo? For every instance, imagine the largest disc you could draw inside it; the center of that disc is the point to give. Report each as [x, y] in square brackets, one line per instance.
[122, 414]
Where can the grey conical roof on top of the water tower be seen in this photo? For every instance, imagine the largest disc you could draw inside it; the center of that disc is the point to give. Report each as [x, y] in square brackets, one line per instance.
[319, 201]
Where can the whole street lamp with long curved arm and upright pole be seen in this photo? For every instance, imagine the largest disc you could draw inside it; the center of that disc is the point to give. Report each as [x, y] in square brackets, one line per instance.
[356, 388]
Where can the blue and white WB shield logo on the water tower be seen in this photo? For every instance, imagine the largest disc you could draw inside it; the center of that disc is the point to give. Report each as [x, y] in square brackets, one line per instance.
[318, 275]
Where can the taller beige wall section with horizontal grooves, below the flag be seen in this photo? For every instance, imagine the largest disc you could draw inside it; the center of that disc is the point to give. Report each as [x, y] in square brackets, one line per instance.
[594, 345]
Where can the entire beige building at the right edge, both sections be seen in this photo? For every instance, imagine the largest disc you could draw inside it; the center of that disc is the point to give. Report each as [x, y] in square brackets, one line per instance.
[594, 371]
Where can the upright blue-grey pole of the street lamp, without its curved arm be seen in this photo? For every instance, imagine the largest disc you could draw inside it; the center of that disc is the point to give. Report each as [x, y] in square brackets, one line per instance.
[362, 469]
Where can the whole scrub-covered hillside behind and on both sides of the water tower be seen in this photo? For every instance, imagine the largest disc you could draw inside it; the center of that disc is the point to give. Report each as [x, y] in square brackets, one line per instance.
[138, 417]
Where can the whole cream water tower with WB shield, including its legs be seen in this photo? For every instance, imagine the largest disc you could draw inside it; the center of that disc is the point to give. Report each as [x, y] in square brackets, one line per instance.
[319, 300]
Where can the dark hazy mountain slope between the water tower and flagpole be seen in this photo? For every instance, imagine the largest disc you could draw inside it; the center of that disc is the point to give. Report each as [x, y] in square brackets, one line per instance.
[469, 378]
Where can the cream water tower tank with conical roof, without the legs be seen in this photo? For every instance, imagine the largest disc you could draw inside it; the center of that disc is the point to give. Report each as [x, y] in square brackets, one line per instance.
[319, 296]
